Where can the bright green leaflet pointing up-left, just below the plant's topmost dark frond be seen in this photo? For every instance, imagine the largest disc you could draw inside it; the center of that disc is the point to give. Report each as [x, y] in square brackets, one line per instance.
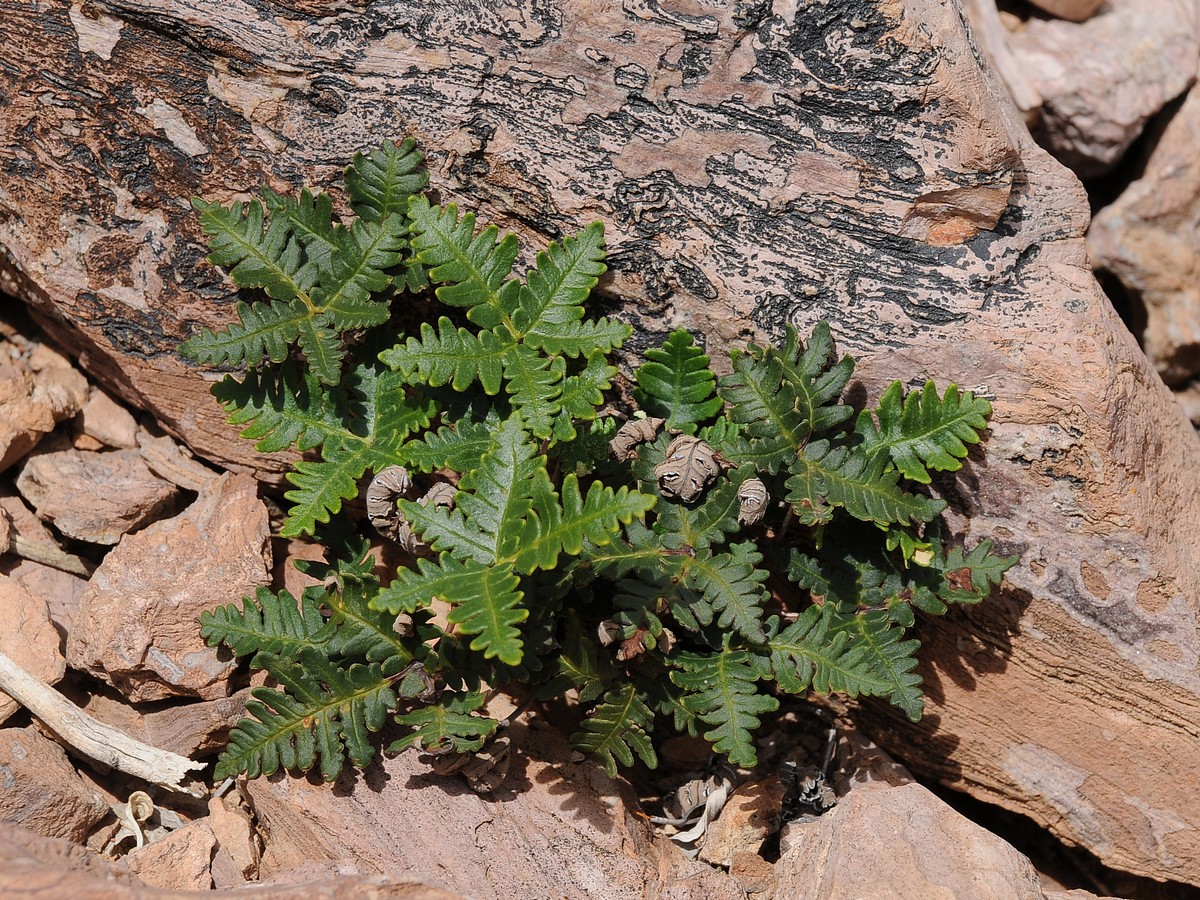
[475, 269]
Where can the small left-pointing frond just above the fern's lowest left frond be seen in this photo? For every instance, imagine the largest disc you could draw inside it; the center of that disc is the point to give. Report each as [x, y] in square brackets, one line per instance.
[275, 623]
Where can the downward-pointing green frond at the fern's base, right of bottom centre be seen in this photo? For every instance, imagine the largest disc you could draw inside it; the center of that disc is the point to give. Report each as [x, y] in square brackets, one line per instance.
[722, 692]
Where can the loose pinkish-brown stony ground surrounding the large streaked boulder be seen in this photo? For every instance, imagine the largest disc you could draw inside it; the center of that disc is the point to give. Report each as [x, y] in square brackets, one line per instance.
[116, 538]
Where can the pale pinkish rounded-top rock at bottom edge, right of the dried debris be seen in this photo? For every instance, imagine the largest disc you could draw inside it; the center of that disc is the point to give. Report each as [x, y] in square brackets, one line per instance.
[884, 842]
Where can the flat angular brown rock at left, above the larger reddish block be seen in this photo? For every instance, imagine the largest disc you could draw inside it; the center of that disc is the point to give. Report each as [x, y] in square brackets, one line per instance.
[94, 496]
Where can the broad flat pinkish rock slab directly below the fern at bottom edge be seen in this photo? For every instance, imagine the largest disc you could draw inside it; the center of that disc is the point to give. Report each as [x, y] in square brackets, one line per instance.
[559, 830]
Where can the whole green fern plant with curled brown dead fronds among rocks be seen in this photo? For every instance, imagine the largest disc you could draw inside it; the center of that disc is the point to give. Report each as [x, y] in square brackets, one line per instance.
[627, 567]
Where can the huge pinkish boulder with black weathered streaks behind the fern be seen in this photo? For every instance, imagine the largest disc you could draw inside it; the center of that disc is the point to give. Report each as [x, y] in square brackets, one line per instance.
[755, 164]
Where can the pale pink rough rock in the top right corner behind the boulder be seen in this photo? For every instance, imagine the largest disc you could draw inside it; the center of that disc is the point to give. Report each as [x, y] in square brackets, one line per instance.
[1102, 80]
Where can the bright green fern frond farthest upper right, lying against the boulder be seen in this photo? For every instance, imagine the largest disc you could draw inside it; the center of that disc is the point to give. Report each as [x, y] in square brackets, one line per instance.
[922, 431]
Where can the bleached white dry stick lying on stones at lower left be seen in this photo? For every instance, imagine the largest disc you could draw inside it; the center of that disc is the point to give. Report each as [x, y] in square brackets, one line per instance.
[94, 740]
